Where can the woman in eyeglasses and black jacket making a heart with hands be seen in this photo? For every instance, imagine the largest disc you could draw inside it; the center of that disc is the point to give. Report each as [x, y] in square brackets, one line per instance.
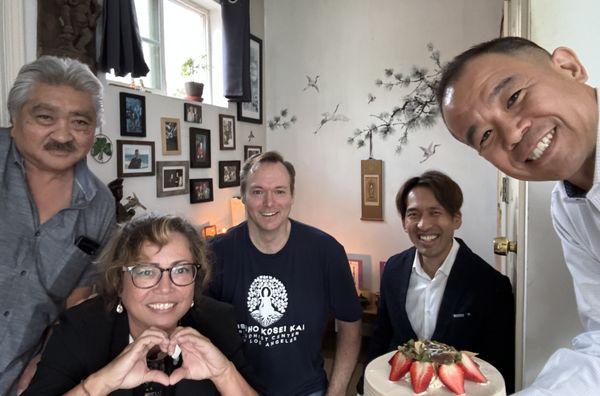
[150, 331]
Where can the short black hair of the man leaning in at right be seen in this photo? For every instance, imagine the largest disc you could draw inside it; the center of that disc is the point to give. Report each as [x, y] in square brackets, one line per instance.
[503, 45]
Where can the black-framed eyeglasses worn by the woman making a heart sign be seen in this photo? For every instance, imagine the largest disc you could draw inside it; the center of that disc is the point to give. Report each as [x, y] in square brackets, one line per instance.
[145, 276]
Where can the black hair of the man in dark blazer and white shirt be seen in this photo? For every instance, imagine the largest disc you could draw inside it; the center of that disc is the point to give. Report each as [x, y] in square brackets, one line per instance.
[444, 189]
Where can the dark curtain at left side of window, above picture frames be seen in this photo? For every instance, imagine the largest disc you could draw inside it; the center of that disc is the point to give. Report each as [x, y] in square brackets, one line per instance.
[121, 45]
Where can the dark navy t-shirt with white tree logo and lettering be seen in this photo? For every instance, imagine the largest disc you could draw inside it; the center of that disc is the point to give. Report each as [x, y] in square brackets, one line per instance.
[282, 302]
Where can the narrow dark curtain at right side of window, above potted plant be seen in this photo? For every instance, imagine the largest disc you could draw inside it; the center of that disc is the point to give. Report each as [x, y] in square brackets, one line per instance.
[236, 49]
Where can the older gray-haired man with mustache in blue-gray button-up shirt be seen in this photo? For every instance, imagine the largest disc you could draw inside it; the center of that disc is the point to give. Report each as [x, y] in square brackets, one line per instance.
[54, 213]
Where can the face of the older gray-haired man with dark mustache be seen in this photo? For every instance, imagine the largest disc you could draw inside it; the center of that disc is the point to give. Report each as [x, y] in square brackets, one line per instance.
[55, 127]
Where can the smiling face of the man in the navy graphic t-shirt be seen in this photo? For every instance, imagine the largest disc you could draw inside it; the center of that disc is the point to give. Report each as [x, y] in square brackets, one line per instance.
[268, 199]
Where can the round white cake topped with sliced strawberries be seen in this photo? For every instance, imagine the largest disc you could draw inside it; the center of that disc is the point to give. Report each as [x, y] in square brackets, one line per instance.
[431, 368]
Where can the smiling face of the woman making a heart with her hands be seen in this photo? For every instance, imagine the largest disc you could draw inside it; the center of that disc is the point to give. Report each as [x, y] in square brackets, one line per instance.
[164, 304]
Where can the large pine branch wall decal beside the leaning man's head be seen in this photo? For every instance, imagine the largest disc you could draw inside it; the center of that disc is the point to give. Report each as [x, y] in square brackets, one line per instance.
[417, 109]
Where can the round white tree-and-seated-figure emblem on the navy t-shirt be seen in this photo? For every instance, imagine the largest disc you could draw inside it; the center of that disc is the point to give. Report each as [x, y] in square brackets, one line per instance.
[267, 300]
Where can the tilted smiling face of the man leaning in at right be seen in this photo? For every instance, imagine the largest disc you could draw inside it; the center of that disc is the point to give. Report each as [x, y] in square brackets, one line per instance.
[533, 117]
